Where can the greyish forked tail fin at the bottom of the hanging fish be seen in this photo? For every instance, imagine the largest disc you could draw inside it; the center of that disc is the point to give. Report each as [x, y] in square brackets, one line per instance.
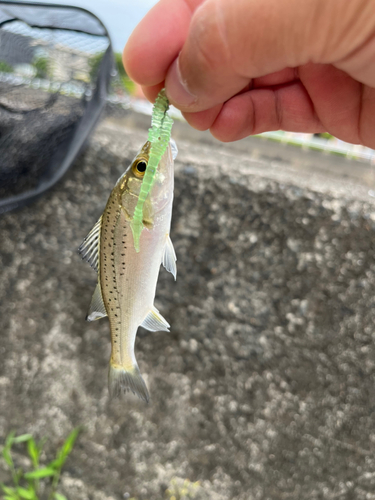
[121, 381]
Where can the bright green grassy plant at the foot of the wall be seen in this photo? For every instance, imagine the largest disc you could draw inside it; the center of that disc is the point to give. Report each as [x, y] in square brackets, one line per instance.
[26, 485]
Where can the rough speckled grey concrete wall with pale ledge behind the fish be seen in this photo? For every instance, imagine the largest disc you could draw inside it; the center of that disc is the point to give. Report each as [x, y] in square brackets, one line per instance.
[263, 389]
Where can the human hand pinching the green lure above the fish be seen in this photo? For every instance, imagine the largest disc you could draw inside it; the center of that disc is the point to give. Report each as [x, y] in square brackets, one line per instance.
[242, 67]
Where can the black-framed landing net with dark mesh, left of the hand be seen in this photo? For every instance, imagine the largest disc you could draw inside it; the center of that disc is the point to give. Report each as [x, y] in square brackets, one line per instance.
[55, 68]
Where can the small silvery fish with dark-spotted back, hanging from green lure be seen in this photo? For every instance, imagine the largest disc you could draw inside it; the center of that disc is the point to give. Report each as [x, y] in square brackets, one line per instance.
[127, 277]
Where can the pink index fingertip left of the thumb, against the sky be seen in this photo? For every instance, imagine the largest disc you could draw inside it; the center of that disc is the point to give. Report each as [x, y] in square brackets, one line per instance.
[157, 40]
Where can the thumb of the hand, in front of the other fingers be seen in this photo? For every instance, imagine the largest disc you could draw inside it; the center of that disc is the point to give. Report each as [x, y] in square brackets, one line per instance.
[231, 42]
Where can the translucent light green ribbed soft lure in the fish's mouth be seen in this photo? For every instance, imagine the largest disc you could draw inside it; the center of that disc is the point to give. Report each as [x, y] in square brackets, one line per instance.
[159, 136]
